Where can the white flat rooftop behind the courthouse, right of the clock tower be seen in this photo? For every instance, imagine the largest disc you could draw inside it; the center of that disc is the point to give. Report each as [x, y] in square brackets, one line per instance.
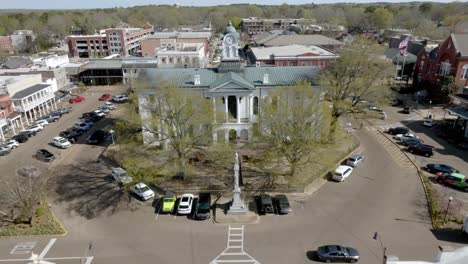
[264, 53]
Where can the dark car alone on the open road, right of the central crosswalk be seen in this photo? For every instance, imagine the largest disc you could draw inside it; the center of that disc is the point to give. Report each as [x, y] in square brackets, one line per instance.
[336, 253]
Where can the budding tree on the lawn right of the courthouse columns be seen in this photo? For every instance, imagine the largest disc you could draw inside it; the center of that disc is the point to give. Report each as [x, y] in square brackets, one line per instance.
[291, 123]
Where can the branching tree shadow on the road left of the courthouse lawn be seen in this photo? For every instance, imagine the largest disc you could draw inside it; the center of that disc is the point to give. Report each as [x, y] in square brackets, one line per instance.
[88, 190]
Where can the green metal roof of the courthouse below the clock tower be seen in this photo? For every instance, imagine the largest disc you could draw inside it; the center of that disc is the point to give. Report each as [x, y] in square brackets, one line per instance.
[248, 76]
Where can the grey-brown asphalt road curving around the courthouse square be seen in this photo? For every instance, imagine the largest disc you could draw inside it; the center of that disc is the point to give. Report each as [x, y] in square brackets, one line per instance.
[380, 196]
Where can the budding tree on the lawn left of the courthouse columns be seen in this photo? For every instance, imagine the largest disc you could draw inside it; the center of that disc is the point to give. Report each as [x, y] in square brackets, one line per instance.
[177, 118]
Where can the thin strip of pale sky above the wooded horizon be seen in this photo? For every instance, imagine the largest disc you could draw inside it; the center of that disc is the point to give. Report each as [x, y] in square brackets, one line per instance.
[77, 4]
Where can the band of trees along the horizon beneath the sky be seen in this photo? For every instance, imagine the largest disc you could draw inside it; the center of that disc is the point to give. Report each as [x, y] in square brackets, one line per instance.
[424, 19]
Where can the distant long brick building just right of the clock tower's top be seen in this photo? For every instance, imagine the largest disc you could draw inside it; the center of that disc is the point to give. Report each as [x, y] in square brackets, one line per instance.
[254, 25]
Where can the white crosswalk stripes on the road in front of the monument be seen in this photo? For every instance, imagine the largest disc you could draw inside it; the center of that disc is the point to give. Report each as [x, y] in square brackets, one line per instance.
[234, 252]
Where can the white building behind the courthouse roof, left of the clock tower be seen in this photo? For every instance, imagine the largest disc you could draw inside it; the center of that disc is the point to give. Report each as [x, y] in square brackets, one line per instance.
[183, 55]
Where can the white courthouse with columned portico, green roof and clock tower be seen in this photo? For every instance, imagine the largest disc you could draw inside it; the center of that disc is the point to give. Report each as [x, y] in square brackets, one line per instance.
[235, 90]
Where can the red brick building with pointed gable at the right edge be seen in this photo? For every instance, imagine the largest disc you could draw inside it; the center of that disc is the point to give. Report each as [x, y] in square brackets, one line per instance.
[448, 59]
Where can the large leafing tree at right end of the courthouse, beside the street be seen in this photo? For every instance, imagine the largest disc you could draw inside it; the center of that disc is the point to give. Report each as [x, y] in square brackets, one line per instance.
[359, 74]
